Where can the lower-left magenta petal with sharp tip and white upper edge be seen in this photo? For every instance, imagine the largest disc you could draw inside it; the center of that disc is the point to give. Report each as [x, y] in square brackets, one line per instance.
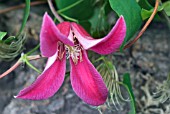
[48, 83]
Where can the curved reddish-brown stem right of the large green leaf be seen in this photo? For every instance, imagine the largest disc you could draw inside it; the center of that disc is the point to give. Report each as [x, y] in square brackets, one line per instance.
[144, 27]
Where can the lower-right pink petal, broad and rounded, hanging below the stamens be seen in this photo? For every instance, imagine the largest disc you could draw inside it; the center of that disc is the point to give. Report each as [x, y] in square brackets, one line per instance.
[87, 82]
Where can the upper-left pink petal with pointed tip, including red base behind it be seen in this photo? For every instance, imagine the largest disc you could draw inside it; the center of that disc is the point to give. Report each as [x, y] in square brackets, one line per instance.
[50, 35]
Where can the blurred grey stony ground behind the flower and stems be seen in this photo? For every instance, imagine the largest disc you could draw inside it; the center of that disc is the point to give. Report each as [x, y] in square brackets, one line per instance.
[147, 62]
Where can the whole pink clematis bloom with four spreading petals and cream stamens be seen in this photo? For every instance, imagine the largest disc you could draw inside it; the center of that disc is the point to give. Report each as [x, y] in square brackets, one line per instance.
[70, 40]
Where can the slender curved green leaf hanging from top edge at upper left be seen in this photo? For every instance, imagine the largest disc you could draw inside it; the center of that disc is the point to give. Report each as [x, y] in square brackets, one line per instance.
[25, 16]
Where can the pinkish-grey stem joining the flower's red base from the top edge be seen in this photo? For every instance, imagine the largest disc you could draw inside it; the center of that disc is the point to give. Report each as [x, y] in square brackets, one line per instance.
[54, 11]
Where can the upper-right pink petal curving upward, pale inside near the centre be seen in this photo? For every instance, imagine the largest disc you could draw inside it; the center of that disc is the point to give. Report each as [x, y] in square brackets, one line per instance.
[106, 45]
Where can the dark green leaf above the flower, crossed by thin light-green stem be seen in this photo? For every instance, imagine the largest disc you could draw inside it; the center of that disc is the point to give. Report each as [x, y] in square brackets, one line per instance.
[81, 11]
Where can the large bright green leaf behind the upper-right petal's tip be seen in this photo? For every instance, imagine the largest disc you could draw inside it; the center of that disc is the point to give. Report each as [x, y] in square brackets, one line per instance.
[132, 14]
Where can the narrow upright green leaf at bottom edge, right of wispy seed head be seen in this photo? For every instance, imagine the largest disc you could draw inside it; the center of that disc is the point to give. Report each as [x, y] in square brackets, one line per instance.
[127, 82]
